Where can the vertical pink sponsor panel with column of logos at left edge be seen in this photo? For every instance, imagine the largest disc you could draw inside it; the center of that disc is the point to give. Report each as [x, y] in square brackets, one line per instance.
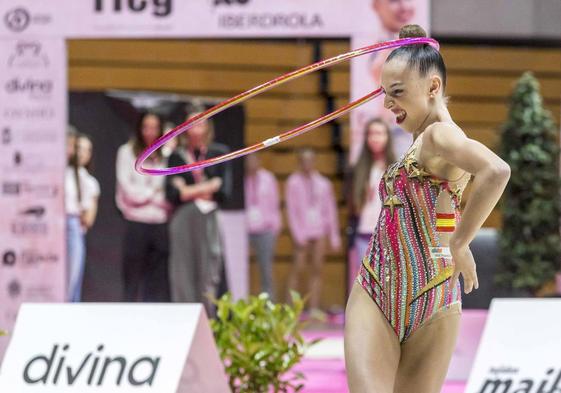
[32, 159]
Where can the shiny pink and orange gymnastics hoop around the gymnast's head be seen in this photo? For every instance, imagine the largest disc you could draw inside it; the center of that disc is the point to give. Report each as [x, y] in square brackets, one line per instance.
[260, 89]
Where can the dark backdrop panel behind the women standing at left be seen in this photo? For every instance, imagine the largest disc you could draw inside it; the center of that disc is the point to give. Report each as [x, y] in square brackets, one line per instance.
[109, 119]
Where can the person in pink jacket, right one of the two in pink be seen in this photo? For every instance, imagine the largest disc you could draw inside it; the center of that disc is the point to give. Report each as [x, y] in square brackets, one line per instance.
[312, 218]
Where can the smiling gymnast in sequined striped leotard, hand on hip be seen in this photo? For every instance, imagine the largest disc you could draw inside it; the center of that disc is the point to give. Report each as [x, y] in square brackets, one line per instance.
[404, 309]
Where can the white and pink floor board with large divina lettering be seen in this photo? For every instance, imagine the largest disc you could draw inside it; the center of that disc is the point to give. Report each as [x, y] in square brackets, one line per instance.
[164, 348]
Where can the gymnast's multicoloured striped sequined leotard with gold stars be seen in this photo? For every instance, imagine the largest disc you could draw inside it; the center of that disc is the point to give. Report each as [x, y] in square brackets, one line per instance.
[406, 270]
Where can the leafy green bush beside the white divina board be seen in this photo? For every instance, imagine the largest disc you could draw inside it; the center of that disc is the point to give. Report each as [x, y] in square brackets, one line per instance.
[259, 342]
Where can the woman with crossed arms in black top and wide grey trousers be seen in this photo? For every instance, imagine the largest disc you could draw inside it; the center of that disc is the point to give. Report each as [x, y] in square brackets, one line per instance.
[196, 251]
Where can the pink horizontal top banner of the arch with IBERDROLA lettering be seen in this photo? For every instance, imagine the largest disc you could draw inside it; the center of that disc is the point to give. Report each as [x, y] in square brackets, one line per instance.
[178, 18]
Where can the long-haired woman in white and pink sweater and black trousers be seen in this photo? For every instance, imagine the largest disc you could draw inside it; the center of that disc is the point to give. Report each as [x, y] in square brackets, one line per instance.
[141, 200]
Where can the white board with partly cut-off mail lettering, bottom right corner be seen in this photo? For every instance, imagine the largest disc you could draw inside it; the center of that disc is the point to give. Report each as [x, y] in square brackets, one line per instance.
[519, 351]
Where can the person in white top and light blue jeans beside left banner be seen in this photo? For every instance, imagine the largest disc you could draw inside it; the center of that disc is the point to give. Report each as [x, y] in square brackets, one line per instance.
[81, 200]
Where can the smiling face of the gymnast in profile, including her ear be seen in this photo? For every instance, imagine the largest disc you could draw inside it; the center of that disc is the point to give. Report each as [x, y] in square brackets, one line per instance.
[409, 96]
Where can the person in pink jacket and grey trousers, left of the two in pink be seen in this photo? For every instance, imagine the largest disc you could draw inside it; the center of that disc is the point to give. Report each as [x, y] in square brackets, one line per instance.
[262, 206]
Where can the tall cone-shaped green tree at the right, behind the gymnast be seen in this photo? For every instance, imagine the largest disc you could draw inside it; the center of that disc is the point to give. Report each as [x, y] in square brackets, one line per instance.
[529, 240]
